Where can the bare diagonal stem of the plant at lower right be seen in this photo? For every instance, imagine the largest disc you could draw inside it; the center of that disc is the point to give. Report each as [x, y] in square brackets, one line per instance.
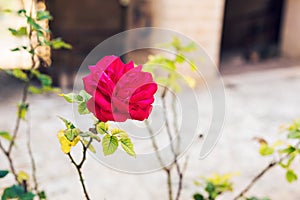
[260, 174]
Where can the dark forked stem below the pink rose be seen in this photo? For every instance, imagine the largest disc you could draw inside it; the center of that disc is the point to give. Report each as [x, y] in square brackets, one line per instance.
[79, 166]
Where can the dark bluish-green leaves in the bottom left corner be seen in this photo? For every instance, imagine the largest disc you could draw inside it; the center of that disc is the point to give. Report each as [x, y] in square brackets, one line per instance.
[17, 192]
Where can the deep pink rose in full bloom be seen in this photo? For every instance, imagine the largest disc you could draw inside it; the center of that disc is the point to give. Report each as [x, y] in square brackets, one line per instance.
[119, 91]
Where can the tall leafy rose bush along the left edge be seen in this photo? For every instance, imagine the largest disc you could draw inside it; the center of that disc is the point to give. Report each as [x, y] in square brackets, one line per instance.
[26, 187]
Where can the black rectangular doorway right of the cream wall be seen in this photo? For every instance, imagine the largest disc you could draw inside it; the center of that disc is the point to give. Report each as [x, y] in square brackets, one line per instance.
[251, 29]
